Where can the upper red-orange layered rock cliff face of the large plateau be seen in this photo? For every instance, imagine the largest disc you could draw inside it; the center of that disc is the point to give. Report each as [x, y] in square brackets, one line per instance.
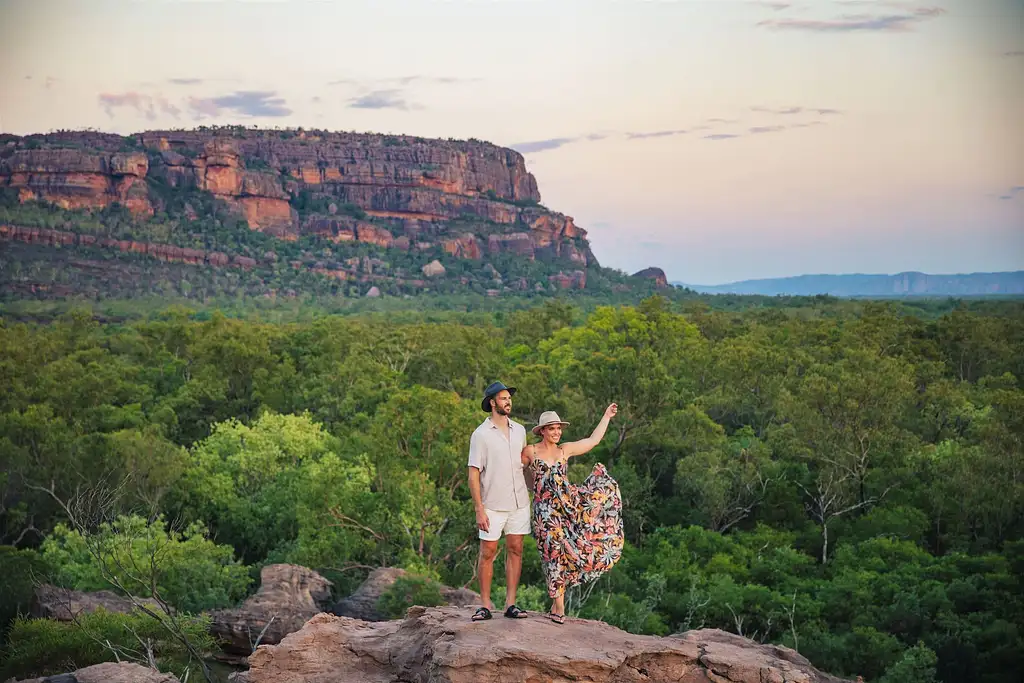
[472, 199]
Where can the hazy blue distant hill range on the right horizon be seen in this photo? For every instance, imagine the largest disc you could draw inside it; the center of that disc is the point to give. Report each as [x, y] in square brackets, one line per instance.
[902, 284]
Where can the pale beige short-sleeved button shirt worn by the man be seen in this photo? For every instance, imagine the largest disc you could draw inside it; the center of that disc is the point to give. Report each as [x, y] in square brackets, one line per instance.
[503, 487]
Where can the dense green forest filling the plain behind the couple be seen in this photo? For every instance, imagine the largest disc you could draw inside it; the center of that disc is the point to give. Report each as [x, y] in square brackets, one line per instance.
[844, 478]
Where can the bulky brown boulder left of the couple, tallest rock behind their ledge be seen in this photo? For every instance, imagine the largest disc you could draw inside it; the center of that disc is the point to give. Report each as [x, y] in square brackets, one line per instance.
[288, 596]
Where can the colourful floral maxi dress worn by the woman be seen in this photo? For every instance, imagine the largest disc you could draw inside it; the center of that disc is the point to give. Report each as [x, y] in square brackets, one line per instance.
[579, 530]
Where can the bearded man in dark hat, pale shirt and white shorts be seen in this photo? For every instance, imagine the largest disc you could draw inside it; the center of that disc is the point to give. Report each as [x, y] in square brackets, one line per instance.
[501, 498]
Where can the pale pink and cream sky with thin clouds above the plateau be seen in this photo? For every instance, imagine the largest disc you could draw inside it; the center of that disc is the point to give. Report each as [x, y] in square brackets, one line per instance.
[718, 140]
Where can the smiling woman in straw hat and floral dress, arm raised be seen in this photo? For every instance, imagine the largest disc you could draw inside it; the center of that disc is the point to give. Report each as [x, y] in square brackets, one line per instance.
[579, 530]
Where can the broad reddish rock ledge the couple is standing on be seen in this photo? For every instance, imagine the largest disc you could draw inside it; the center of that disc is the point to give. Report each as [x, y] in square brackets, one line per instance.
[441, 645]
